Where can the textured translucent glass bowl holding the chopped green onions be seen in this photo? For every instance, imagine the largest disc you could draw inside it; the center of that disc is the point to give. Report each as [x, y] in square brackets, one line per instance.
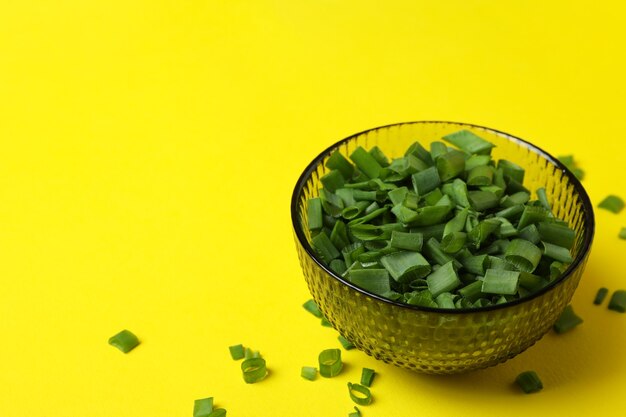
[435, 340]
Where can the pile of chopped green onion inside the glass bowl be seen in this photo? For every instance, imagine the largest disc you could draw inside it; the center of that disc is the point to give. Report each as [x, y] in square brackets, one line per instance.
[448, 227]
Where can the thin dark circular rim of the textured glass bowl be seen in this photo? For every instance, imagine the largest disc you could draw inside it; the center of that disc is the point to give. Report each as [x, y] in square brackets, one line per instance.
[578, 187]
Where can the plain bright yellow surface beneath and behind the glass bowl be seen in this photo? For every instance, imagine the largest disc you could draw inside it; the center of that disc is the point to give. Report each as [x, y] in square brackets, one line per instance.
[148, 154]
